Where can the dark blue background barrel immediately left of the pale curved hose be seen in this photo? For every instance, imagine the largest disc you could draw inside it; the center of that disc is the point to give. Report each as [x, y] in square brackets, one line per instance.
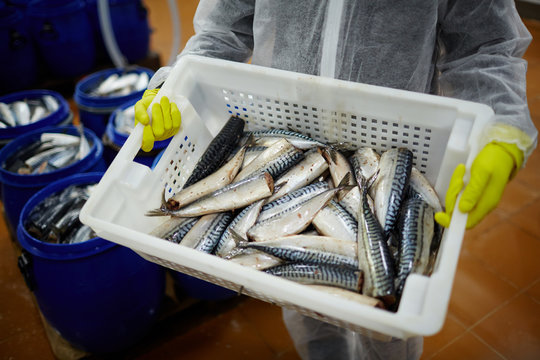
[63, 34]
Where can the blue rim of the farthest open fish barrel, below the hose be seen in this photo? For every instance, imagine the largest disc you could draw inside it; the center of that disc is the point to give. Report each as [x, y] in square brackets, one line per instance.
[105, 104]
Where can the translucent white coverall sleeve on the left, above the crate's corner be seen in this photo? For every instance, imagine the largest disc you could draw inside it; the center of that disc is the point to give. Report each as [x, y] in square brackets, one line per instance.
[223, 29]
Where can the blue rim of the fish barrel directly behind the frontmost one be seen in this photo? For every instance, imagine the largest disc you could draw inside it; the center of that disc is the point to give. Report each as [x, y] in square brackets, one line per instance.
[18, 180]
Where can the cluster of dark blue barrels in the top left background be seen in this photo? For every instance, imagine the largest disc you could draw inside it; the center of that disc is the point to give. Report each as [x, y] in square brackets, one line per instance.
[62, 38]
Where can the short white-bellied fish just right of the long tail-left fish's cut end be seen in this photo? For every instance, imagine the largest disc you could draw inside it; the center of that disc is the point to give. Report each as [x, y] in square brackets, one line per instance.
[302, 174]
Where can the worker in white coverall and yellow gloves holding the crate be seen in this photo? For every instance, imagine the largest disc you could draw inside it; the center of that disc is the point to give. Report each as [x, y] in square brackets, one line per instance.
[464, 49]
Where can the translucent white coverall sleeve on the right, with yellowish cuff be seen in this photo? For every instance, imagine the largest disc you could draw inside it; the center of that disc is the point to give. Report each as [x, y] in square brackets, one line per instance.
[482, 44]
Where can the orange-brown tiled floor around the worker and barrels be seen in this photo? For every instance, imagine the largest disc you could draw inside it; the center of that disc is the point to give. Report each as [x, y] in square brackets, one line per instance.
[494, 310]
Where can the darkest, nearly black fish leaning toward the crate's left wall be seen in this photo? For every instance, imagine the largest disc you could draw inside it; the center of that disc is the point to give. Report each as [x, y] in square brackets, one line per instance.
[218, 150]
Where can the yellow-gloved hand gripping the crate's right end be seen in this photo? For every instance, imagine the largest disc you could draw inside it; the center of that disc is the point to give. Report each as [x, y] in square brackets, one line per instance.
[491, 170]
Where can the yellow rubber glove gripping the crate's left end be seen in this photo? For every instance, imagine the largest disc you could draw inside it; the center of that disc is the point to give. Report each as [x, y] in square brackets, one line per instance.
[166, 119]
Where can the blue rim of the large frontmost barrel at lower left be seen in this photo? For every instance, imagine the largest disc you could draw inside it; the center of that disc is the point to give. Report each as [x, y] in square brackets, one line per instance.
[66, 252]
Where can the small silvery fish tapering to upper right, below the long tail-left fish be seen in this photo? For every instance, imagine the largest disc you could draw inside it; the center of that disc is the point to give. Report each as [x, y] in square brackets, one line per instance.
[240, 225]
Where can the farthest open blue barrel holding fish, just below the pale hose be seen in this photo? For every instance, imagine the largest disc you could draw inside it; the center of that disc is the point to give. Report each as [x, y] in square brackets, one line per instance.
[94, 112]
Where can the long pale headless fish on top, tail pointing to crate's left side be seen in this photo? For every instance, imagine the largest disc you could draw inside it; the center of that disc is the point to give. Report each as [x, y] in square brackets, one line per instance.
[233, 196]
